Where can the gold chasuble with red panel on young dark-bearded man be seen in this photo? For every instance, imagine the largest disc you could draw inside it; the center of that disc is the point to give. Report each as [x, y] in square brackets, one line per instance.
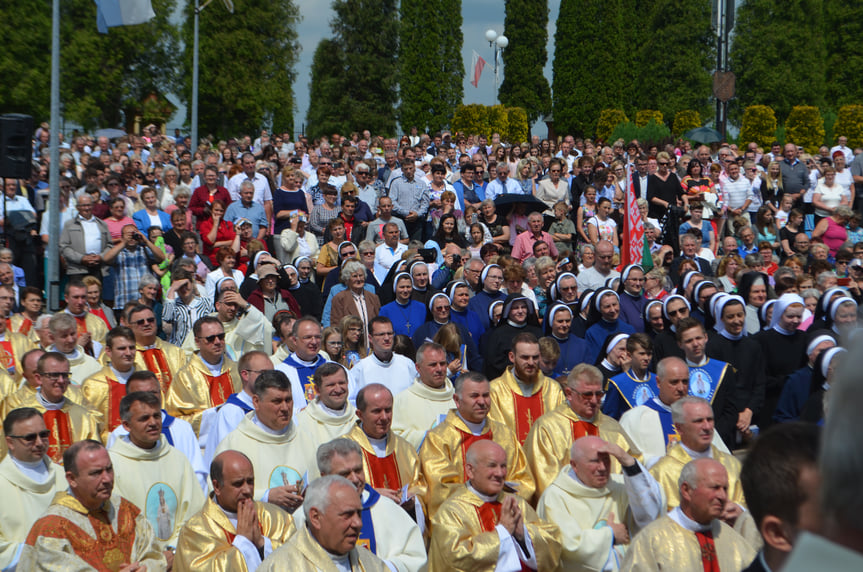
[518, 411]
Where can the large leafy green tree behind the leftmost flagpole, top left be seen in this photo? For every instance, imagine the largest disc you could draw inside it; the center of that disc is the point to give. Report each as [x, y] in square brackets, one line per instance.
[103, 77]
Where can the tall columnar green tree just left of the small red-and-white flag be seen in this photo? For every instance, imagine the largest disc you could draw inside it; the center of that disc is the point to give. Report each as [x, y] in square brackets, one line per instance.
[430, 65]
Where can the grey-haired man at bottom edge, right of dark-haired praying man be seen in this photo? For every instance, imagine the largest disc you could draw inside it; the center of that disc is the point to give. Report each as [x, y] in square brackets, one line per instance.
[328, 541]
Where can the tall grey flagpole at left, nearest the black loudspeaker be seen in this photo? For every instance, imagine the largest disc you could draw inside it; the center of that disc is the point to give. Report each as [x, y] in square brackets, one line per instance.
[54, 176]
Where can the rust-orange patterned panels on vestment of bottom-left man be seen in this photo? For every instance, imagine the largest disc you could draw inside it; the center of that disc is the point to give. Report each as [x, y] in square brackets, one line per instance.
[108, 550]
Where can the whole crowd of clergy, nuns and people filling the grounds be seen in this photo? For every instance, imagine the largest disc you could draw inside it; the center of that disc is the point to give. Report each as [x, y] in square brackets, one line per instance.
[370, 353]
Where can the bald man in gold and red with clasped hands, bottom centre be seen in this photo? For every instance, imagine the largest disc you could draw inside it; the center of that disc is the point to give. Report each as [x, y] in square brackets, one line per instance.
[482, 528]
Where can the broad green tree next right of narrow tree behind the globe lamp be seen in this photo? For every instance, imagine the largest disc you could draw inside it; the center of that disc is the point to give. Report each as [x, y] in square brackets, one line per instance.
[593, 35]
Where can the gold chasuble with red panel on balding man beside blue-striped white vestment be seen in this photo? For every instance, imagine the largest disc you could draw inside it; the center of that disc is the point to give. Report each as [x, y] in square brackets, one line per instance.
[400, 466]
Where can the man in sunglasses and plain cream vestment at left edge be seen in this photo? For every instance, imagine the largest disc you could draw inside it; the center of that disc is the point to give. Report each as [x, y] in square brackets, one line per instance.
[28, 481]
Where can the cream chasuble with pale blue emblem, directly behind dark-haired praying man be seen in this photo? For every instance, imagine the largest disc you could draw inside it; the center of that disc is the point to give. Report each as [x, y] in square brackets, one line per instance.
[277, 459]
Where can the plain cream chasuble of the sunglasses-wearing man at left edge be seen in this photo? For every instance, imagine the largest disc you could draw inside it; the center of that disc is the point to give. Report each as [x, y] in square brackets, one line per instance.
[24, 500]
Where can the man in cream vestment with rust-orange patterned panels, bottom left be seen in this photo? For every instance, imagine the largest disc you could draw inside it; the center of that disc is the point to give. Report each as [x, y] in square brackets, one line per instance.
[88, 528]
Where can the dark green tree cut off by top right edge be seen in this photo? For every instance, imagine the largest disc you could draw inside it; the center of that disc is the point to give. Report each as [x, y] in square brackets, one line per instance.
[843, 22]
